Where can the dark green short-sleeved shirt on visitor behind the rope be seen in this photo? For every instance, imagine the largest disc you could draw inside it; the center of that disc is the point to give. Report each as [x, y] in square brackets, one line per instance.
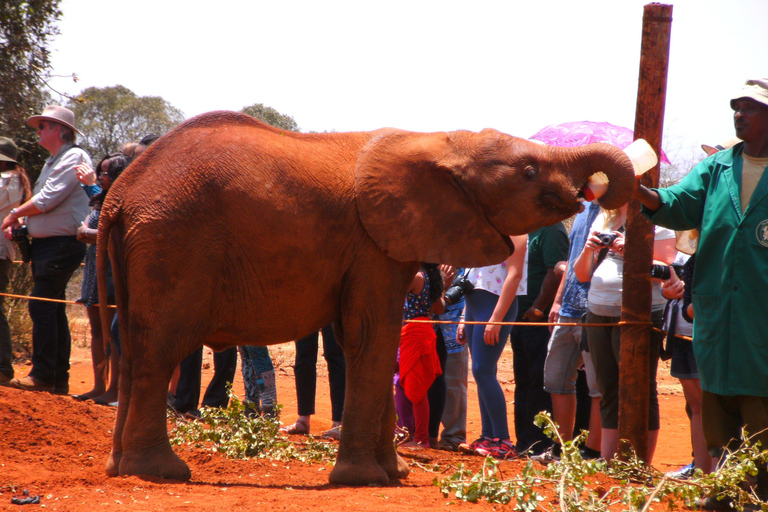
[546, 247]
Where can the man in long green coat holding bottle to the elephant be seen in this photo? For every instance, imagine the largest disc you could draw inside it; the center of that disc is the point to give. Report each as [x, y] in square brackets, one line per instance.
[726, 198]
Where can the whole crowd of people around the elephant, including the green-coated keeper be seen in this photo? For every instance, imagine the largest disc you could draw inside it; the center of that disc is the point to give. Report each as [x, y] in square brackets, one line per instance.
[710, 312]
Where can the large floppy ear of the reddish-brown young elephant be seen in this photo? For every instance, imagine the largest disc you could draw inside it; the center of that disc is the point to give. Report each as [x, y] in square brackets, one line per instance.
[411, 201]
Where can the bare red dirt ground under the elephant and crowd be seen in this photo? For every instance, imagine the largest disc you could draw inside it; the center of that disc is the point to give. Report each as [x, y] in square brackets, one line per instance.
[56, 448]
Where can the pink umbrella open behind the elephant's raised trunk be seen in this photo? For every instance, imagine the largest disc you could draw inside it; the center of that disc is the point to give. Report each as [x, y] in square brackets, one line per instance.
[587, 132]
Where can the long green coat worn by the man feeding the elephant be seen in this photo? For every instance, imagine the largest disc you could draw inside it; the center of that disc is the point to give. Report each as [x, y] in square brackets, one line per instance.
[730, 279]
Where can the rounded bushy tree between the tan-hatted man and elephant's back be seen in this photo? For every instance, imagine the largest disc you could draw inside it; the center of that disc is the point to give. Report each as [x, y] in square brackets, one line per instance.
[111, 116]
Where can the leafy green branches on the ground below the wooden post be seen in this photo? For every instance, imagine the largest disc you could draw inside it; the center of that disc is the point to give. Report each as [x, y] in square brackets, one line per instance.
[638, 485]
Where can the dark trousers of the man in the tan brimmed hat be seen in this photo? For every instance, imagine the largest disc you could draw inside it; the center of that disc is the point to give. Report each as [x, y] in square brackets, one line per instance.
[54, 260]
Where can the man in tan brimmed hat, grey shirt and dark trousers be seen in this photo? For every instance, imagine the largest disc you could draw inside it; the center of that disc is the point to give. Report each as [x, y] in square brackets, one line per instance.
[57, 207]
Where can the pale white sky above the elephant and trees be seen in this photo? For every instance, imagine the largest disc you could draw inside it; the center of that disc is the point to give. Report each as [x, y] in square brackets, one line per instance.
[421, 65]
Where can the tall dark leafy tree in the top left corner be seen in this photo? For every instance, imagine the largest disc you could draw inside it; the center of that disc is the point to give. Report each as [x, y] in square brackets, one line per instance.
[26, 30]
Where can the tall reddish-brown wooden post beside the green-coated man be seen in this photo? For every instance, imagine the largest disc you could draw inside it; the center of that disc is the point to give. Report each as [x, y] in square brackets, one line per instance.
[634, 379]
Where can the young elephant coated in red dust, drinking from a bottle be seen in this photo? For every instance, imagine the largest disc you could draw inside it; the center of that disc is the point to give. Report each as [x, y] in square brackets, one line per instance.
[227, 231]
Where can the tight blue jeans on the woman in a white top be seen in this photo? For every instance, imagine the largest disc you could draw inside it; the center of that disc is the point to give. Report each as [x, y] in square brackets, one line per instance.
[493, 404]
